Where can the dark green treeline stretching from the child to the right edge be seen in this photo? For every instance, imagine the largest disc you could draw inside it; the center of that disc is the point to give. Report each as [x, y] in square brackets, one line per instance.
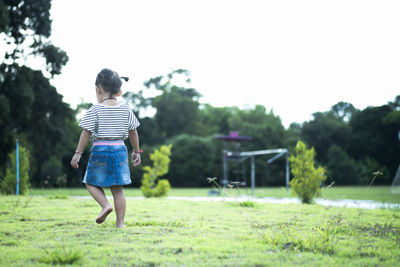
[350, 143]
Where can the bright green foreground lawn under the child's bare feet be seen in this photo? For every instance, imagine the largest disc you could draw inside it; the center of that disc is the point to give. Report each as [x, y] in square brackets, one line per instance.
[43, 231]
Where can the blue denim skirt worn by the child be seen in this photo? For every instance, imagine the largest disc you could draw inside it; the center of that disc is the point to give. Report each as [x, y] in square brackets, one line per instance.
[108, 165]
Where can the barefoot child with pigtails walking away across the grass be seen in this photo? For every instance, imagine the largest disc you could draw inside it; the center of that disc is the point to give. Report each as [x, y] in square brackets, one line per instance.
[107, 124]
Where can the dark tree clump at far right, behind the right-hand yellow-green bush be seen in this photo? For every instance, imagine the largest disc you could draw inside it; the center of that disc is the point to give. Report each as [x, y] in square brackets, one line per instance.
[353, 143]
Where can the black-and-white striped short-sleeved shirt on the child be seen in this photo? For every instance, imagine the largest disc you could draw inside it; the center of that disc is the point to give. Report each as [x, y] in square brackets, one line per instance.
[109, 122]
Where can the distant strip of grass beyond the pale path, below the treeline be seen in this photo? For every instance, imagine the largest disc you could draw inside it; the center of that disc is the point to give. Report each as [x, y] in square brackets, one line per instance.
[377, 193]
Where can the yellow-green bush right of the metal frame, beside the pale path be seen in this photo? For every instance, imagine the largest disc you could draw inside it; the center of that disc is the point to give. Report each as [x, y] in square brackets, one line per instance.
[306, 179]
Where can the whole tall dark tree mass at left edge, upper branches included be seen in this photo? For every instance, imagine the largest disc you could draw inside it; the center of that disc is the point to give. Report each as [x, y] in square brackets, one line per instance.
[30, 107]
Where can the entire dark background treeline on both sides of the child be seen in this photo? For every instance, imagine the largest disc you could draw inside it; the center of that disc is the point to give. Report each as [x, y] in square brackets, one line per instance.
[350, 143]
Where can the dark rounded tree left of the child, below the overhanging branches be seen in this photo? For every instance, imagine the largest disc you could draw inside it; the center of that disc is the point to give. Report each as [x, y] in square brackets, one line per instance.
[44, 123]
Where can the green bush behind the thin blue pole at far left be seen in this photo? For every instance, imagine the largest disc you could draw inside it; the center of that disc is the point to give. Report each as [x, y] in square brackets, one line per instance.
[9, 184]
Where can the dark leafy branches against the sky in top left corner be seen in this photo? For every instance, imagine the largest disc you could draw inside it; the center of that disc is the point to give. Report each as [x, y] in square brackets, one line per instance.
[26, 26]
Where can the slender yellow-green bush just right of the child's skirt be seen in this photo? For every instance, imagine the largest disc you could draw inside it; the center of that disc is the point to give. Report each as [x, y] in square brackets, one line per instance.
[161, 160]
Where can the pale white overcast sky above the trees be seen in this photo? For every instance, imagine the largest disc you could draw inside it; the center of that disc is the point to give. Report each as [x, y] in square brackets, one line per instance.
[293, 57]
